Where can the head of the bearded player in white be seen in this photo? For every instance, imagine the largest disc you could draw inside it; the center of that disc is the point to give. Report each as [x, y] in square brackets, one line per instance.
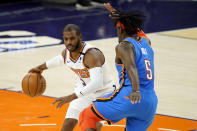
[72, 37]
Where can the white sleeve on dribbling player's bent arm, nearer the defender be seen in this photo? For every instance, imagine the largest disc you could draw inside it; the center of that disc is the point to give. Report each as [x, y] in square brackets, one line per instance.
[96, 83]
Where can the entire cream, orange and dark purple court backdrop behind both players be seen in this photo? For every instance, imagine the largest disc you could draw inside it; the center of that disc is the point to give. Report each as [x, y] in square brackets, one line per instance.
[31, 33]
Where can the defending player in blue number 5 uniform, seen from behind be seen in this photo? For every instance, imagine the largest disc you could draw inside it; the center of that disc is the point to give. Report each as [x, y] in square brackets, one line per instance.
[135, 99]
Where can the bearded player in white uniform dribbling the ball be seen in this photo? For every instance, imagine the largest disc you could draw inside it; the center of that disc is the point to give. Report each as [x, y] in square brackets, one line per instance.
[93, 77]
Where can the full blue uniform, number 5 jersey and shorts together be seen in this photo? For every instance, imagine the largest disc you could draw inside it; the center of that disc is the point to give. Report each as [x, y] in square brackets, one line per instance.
[114, 107]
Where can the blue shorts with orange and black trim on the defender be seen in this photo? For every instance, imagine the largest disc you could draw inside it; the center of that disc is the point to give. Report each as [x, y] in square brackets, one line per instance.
[115, 107]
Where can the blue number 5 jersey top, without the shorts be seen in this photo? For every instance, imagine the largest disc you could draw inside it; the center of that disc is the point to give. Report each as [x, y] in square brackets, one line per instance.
[144, 59]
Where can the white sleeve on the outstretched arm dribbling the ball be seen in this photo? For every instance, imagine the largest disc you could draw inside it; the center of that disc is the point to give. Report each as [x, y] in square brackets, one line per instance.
[55, 61]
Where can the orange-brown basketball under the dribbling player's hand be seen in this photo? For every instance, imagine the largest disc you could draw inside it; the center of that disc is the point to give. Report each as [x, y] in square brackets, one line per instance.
[33, 84]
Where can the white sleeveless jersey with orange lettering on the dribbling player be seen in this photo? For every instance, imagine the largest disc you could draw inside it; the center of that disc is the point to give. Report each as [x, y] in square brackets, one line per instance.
[82, 72]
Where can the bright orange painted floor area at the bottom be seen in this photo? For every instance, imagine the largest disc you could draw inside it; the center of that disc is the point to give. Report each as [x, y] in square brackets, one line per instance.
[19, 112]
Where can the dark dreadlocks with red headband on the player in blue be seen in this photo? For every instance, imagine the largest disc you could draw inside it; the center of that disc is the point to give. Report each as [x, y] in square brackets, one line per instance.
[131, 22]
